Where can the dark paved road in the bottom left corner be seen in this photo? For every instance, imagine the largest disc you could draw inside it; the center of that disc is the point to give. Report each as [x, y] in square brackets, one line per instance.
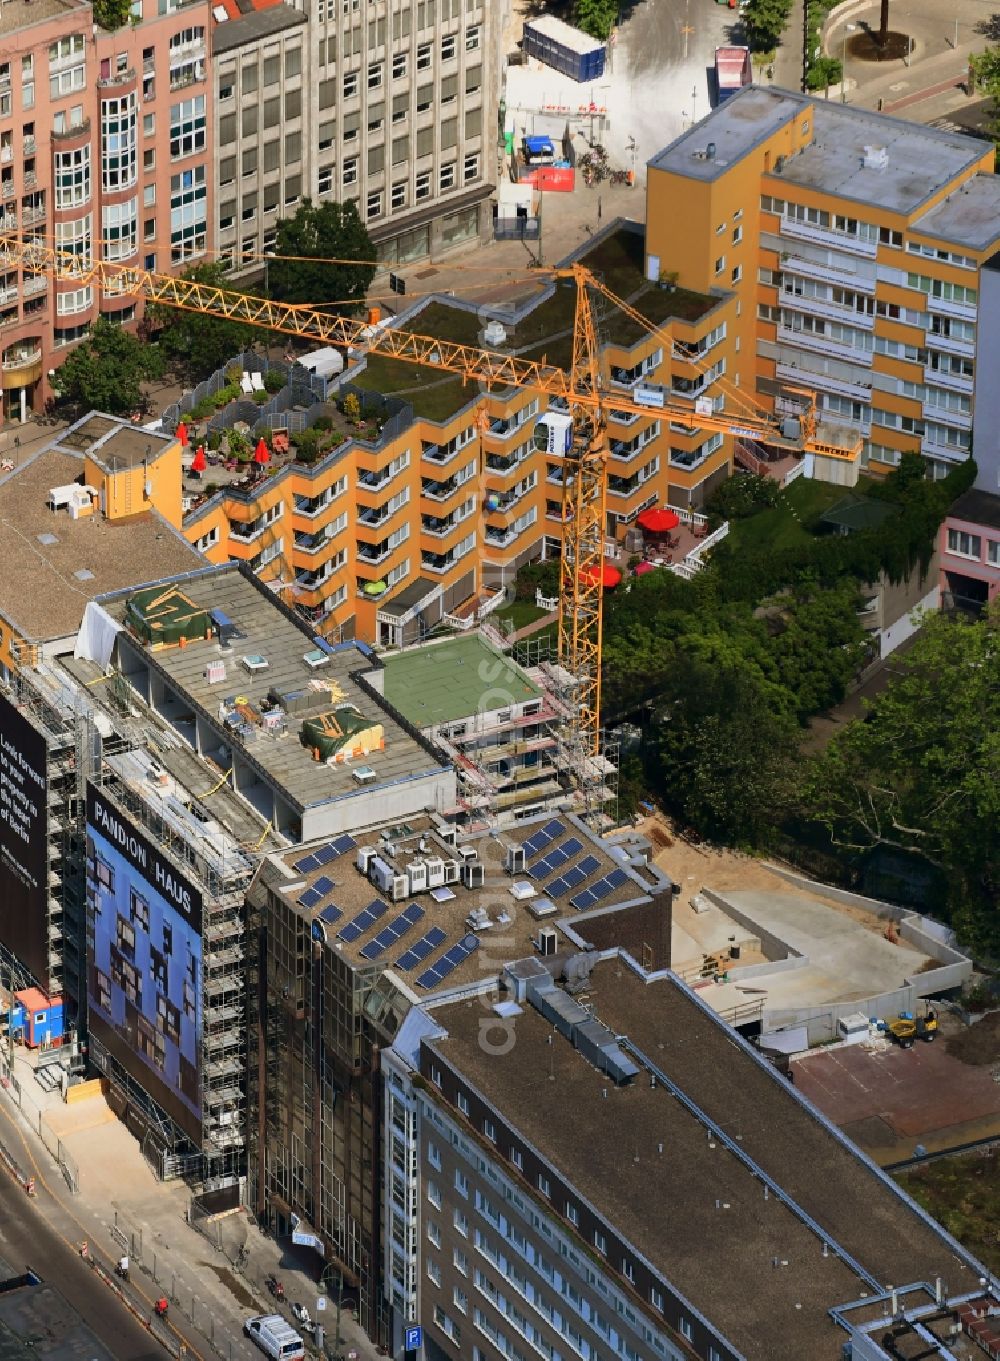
[27, 1239]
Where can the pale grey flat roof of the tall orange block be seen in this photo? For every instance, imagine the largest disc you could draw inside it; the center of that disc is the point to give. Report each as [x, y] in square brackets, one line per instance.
[920, 160]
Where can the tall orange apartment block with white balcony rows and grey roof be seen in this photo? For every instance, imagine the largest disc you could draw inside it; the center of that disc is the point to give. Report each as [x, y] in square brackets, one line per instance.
[855, 246]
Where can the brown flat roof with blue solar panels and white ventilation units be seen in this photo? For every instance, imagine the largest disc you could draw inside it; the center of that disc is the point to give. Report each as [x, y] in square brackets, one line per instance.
[335, 883]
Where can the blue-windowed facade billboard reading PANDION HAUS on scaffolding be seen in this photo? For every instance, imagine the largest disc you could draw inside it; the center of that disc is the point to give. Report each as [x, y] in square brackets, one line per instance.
[145, 963]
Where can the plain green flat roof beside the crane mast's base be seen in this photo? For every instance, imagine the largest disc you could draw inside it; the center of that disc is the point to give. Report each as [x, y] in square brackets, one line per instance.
[440, 683]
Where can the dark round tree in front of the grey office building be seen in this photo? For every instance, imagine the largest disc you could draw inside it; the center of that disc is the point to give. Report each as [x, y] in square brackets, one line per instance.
[312, 250]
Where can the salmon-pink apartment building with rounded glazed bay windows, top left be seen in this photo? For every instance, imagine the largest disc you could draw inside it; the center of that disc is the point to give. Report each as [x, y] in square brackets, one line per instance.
[105, 153]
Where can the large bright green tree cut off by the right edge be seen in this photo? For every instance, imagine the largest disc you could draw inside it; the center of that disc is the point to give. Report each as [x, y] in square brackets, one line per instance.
[922, 772]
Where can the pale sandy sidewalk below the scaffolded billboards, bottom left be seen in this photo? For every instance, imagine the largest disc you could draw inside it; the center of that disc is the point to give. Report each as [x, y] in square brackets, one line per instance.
[214, 1276]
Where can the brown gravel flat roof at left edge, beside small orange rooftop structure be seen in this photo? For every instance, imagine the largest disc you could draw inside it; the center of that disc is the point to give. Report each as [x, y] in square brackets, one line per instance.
[44, 549]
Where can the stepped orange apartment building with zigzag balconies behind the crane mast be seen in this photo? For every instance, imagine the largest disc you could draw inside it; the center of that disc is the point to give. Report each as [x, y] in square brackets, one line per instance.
[380, 540]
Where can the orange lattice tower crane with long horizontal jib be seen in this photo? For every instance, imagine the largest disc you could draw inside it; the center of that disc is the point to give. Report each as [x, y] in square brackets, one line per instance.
[583, 390]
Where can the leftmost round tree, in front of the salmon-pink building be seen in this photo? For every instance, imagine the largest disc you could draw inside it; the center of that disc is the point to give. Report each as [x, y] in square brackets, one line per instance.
[107, 371]
